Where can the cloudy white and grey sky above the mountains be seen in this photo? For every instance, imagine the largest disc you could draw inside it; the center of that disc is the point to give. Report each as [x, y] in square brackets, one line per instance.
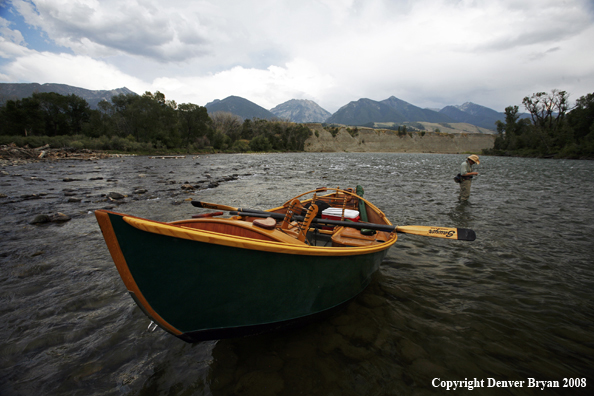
[431, 53]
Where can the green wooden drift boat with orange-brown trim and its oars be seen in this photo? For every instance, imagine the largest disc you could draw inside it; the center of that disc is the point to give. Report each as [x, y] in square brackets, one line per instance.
[211, 278]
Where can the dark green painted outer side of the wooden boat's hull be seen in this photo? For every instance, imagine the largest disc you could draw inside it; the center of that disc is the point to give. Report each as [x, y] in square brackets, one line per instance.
[211, 291]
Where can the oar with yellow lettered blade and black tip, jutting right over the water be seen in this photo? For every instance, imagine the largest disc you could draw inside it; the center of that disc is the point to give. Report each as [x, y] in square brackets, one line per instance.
[462, 234]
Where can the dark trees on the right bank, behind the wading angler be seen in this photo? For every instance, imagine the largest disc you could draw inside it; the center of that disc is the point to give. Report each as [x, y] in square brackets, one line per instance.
[551, 130]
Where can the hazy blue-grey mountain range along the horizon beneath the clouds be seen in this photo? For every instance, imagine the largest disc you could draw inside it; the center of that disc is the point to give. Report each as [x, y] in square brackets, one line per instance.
[356, 113]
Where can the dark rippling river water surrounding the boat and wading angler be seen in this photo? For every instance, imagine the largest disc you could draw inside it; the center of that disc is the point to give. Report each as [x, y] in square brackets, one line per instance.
[514, 304]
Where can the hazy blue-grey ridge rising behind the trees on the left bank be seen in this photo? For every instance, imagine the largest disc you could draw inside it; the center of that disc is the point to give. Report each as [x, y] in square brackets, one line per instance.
[15, 91]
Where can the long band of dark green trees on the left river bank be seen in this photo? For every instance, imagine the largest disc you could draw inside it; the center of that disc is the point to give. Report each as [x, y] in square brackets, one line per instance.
[144, 123]
